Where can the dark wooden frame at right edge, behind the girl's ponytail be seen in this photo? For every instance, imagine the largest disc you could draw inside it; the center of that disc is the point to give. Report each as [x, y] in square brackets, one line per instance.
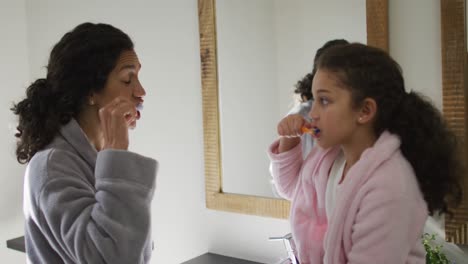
[454, 77]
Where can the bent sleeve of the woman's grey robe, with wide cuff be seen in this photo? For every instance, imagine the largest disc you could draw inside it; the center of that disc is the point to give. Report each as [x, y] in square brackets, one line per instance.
[110, 223]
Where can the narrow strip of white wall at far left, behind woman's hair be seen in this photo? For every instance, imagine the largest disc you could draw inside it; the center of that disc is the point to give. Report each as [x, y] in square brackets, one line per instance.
[14, 76]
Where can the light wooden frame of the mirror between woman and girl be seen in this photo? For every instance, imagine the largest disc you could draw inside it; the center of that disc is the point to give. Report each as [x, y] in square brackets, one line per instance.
[377, 35]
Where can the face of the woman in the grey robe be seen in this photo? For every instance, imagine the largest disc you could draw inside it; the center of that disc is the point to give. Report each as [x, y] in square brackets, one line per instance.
[123, 81]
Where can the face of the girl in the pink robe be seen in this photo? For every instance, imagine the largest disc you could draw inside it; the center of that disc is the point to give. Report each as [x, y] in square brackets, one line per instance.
[332, 110]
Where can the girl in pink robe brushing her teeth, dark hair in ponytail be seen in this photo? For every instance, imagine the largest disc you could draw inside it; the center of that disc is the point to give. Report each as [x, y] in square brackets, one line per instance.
[383, 160]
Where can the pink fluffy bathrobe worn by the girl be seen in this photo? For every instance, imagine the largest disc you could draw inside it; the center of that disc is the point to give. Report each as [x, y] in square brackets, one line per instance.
[379, 212]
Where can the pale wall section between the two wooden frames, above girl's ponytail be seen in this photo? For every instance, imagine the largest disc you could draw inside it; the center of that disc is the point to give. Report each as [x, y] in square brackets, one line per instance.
[414, 28]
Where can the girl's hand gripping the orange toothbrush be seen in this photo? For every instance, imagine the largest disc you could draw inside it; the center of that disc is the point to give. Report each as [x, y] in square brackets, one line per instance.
[289, 130]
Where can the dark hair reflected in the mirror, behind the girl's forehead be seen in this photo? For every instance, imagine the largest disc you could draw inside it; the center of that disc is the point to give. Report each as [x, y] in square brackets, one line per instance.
[304, 86]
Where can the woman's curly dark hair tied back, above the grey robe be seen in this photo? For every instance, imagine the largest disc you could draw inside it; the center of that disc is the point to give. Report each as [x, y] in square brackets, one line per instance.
[79, 65]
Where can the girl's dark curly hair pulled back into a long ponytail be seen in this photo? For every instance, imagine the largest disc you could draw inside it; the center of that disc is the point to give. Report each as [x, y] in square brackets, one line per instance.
[426, 141]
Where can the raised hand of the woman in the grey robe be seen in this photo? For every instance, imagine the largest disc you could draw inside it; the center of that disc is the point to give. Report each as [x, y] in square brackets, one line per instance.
[116, 118]
